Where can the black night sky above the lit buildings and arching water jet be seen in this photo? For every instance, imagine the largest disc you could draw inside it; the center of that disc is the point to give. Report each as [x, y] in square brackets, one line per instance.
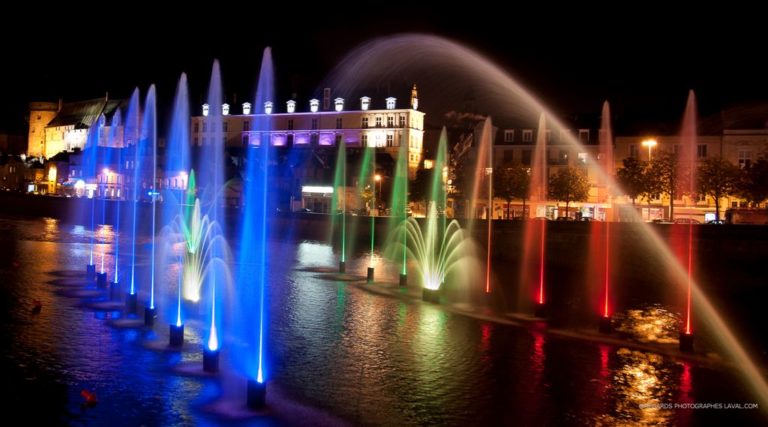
[644, 60]
